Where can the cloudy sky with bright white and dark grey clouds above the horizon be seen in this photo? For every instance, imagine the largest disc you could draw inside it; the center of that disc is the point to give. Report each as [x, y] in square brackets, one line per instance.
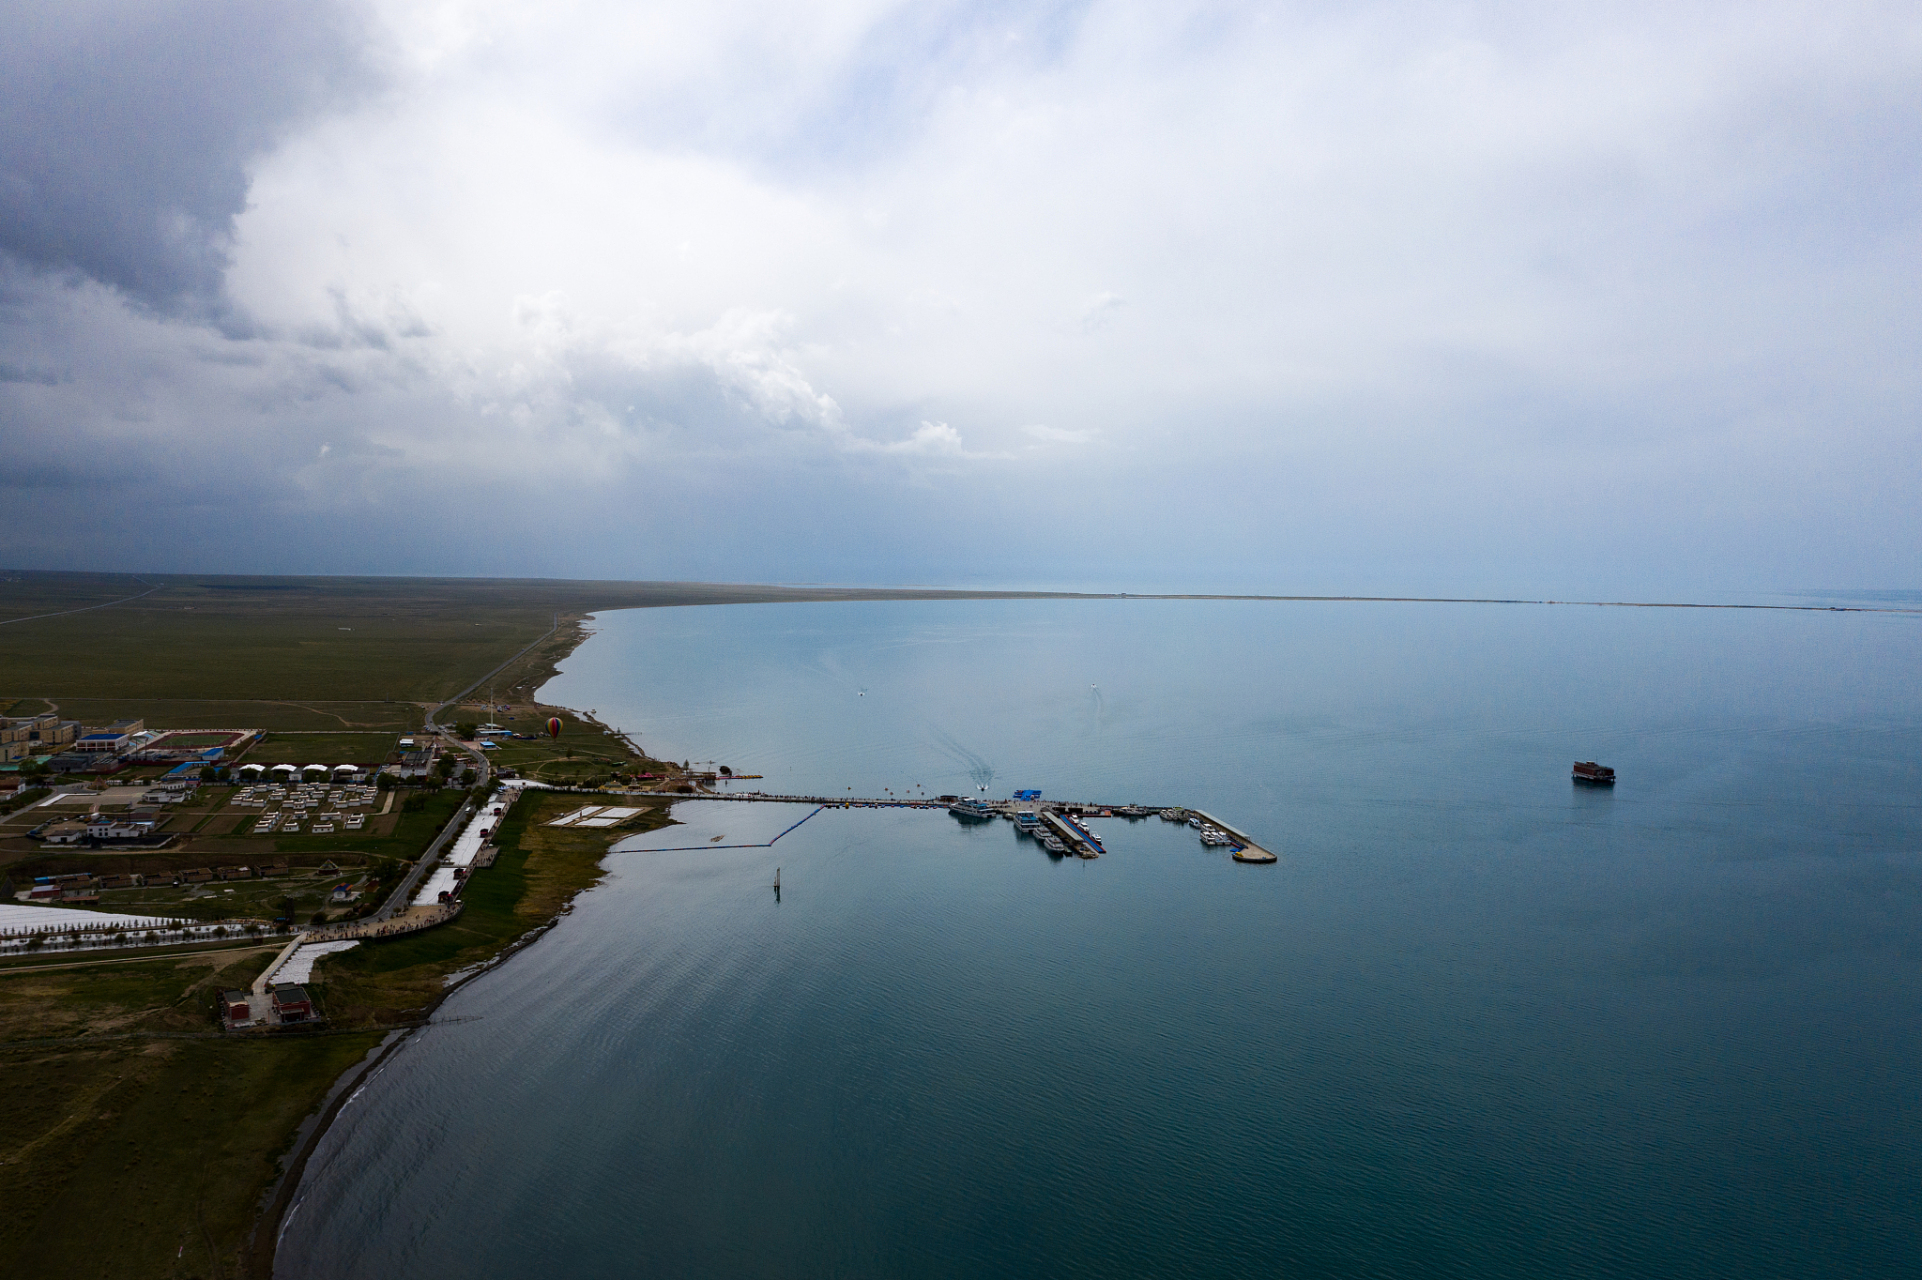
[1435, 299]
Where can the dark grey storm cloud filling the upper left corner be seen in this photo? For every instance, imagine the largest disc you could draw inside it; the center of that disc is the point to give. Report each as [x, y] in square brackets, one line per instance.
[126, 130]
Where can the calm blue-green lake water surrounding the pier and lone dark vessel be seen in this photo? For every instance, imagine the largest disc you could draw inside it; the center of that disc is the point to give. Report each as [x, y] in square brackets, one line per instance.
[1475, 1023]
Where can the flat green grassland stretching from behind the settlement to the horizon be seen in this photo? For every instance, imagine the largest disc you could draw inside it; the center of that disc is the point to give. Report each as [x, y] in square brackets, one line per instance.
[303, 643]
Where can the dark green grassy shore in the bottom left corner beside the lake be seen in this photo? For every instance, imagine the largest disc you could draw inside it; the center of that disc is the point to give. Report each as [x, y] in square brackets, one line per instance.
[139, 1143]
